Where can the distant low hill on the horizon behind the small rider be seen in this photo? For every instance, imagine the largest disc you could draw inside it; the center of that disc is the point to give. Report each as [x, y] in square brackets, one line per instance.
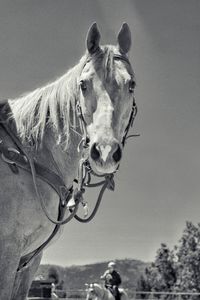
[75, 277]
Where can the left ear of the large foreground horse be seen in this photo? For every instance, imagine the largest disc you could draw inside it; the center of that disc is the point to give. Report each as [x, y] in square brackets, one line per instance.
[93, 38]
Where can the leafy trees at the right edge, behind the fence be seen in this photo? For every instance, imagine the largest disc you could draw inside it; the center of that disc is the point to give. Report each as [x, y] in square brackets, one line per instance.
[177, 270]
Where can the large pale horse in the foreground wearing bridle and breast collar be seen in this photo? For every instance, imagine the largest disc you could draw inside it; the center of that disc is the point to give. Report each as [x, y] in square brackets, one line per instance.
[47, 137]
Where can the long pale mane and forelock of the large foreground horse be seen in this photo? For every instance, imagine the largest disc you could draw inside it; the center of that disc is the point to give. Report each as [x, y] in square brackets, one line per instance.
[54, 104]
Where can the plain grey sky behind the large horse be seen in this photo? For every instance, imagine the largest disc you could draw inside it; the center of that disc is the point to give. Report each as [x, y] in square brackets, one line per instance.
[158, 186]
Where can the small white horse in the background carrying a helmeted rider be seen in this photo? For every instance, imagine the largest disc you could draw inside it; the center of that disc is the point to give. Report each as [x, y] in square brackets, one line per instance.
[99, 292]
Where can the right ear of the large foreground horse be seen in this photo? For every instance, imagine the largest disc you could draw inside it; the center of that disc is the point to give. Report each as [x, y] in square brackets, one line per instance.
[124, 38]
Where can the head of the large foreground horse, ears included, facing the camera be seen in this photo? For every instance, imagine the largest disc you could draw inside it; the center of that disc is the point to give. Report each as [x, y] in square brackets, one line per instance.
[106, 98]
